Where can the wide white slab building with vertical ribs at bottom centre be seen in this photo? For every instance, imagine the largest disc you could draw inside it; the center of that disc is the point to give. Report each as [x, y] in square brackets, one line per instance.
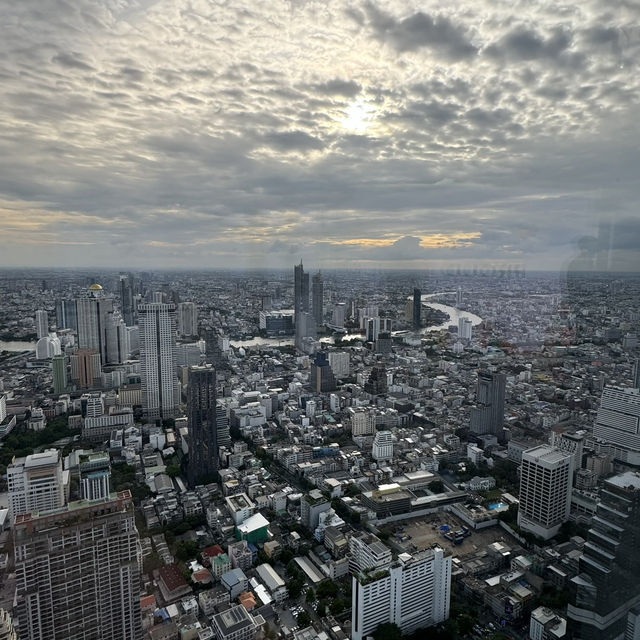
[412, 592]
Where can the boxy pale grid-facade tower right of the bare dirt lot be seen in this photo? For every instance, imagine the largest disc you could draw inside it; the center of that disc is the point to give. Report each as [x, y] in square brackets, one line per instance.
[546, 478]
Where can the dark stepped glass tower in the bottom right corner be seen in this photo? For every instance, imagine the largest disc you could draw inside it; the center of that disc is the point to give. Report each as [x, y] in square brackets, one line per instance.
[606, 592]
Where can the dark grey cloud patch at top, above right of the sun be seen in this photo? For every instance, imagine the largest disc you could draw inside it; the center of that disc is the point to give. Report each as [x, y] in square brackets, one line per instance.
[421, 30]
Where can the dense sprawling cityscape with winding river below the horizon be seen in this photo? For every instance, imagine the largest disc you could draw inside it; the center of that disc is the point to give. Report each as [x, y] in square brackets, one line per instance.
[319, 454]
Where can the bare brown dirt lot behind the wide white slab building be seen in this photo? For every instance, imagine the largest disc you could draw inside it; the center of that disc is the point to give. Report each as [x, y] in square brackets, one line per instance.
[424, 532]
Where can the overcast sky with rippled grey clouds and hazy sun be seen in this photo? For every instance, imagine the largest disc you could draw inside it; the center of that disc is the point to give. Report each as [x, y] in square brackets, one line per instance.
[400, 134]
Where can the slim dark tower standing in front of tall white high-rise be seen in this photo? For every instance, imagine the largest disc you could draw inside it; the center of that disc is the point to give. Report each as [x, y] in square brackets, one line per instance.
[203, 434]
